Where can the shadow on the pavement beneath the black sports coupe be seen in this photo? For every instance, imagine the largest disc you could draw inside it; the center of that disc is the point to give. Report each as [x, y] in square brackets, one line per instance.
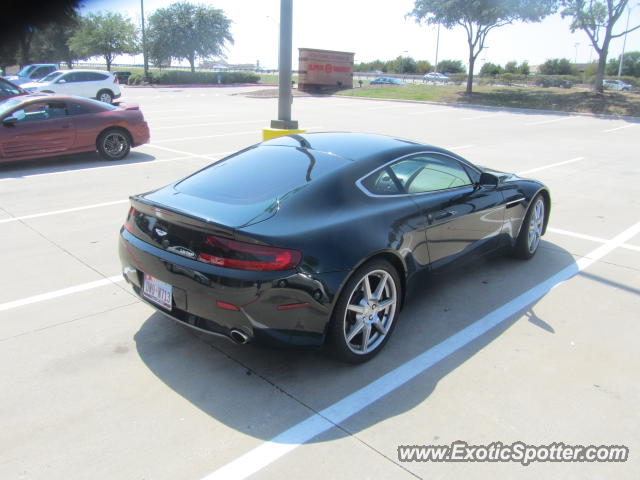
[218, 377]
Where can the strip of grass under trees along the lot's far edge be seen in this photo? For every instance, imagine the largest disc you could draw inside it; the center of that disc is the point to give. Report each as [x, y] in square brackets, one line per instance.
[557, 99]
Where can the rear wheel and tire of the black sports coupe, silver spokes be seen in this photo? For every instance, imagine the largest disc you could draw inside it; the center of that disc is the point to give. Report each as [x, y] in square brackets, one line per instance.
[366, 312]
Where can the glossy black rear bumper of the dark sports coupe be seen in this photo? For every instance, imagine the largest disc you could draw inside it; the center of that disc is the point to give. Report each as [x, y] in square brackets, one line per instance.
[276, 308]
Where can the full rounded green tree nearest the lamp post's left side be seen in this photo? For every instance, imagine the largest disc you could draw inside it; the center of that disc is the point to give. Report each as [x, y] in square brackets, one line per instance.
[187, 32]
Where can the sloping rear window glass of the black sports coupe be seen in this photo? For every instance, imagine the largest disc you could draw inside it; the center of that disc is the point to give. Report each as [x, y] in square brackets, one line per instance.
[259, 174]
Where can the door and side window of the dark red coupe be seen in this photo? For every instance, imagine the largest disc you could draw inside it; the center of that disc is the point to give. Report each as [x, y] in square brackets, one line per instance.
[41, 128]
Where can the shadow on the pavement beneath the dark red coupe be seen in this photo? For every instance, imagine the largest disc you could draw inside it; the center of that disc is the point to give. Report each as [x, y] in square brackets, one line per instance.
[66, 163]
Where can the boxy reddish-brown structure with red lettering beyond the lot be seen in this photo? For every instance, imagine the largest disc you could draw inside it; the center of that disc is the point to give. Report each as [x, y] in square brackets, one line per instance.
[320, 69]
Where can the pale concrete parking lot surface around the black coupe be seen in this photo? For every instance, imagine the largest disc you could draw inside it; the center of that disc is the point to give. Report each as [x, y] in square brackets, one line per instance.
[96, 384]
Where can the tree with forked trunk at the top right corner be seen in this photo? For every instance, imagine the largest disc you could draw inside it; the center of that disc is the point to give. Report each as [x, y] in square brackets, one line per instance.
[597, 18]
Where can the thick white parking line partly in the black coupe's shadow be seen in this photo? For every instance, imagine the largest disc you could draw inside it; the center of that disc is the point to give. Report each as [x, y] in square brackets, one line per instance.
[268, 452]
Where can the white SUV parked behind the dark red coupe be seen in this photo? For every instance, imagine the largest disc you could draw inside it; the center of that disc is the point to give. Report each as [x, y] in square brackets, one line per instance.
[98, 84]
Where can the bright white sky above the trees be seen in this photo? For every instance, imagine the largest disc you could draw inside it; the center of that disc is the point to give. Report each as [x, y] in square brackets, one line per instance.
[378, 29]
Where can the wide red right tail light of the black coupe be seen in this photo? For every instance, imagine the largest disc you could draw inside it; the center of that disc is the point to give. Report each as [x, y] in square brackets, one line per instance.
[247, 256]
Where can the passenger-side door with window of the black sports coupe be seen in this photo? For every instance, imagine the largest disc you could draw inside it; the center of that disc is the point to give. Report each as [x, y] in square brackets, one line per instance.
[458, 215]
